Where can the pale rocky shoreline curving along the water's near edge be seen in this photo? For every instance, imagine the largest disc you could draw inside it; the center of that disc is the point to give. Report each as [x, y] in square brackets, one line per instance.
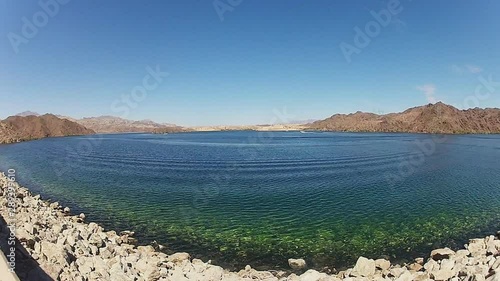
[52, 244]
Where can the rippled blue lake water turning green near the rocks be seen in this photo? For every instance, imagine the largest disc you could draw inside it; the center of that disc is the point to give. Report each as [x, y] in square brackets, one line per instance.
[260, 198]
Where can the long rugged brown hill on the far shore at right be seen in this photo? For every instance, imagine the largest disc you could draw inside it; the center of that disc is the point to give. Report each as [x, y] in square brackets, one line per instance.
[431, 118]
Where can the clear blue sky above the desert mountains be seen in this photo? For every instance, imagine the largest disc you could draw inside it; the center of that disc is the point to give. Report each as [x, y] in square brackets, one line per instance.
[250, 62]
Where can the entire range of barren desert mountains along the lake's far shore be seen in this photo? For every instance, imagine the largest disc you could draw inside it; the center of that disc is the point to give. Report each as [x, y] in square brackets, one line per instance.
[431, 118]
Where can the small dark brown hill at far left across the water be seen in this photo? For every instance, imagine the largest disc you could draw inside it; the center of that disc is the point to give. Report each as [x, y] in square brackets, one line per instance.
[24, 128]
